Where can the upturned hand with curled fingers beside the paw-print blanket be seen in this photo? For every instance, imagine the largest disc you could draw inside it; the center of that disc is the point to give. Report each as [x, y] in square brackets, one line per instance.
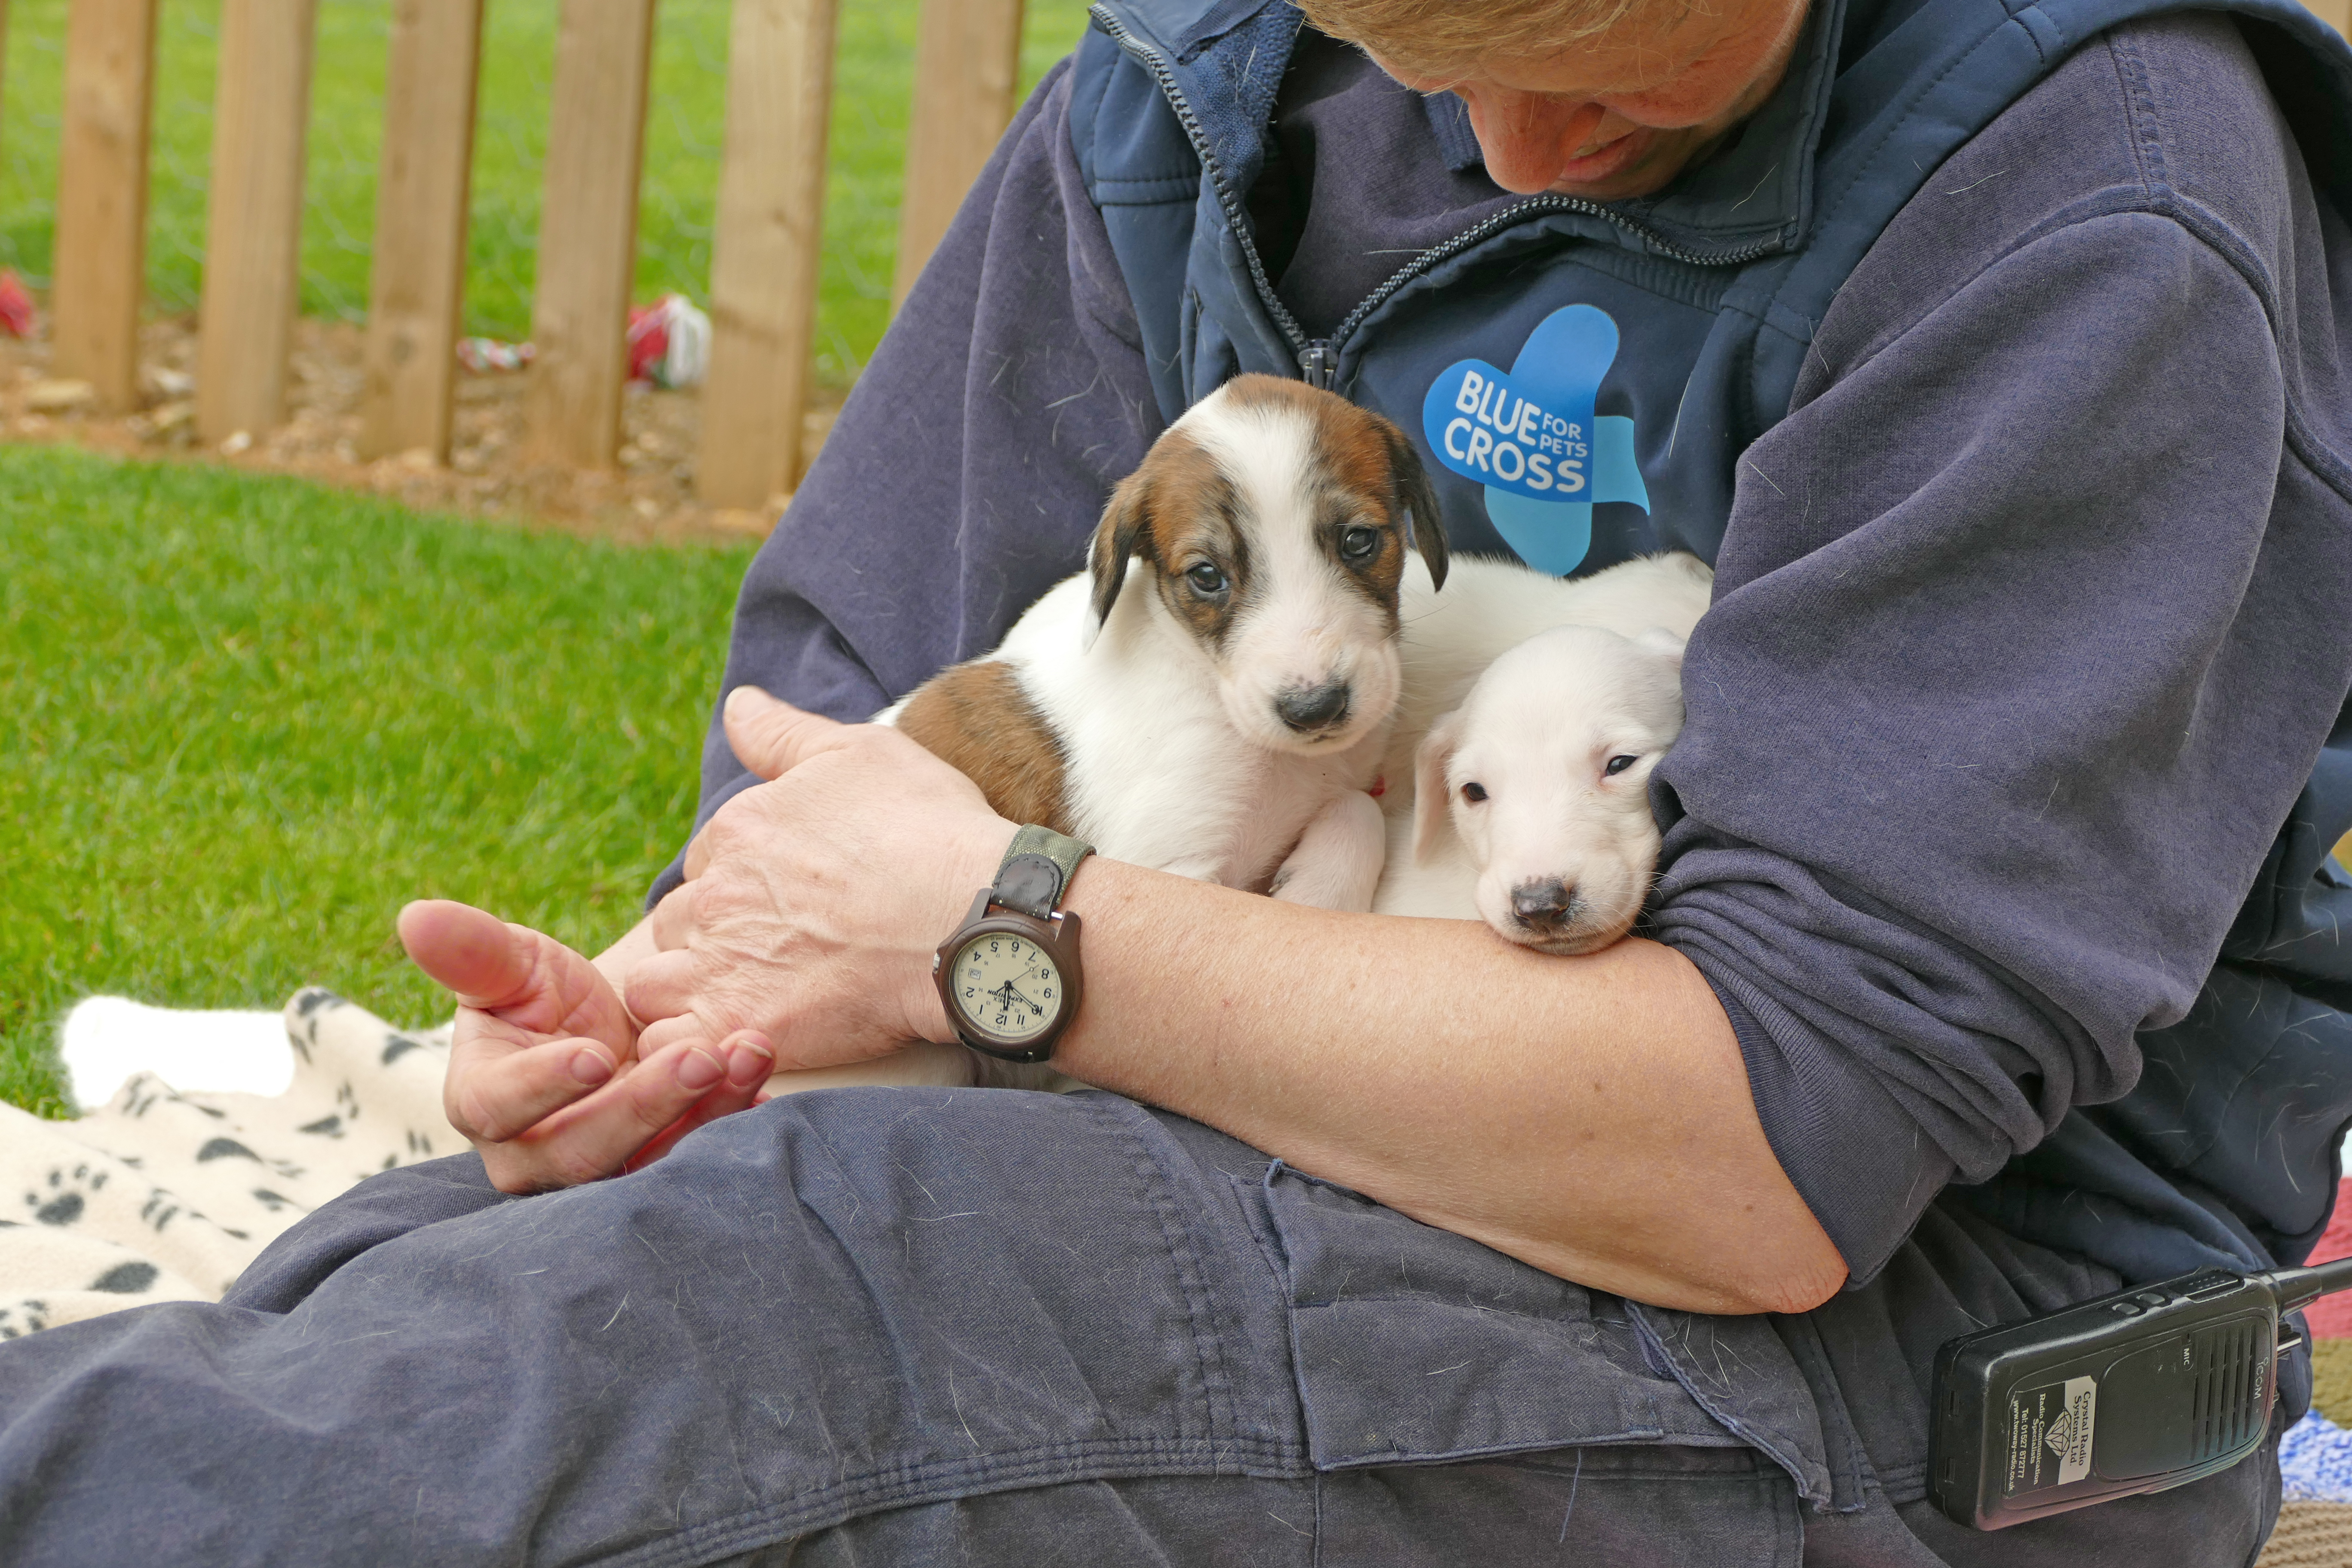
[544, 1076]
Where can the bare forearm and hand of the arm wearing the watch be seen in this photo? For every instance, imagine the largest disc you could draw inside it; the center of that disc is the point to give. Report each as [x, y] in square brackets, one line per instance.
[1586, 1115]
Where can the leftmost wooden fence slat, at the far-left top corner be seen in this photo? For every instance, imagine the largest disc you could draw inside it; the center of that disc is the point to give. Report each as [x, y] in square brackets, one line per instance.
[100, 257]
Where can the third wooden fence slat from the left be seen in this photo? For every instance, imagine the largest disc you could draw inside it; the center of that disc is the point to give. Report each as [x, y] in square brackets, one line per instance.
[417, 279]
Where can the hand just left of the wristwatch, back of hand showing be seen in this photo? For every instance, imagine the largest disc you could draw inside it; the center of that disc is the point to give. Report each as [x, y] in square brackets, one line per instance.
[815, 902]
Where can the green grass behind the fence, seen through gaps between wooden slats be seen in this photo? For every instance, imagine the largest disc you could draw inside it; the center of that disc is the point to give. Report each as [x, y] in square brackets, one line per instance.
[681, 161]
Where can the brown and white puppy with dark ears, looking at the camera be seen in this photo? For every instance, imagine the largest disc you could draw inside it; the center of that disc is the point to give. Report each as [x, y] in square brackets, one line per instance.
[1212, 695]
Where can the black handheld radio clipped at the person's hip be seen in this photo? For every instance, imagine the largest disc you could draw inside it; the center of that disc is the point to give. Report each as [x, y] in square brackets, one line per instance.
[2120, 1395]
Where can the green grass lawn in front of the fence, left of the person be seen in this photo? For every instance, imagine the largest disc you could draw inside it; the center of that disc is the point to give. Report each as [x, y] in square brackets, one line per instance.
[243, 721]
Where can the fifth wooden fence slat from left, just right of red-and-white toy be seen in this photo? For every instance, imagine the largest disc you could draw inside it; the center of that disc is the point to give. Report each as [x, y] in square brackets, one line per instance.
[766, 250]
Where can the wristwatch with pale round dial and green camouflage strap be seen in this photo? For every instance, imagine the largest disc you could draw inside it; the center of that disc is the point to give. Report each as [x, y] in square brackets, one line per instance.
[1010, 974]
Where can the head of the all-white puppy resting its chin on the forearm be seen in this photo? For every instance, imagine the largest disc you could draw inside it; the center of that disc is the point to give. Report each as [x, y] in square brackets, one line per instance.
[1532, 798]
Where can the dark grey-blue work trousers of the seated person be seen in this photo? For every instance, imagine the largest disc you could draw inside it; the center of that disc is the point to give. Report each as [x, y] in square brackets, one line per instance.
[989, 1327]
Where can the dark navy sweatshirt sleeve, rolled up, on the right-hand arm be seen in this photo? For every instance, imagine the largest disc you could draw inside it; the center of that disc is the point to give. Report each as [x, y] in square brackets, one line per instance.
[2003, 699]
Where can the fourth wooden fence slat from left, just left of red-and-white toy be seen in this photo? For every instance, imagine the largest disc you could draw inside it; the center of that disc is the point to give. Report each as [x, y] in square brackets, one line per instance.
[589, 232]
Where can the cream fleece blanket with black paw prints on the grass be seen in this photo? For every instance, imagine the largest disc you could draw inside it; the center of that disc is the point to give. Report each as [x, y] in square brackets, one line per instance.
[215, 1141]
